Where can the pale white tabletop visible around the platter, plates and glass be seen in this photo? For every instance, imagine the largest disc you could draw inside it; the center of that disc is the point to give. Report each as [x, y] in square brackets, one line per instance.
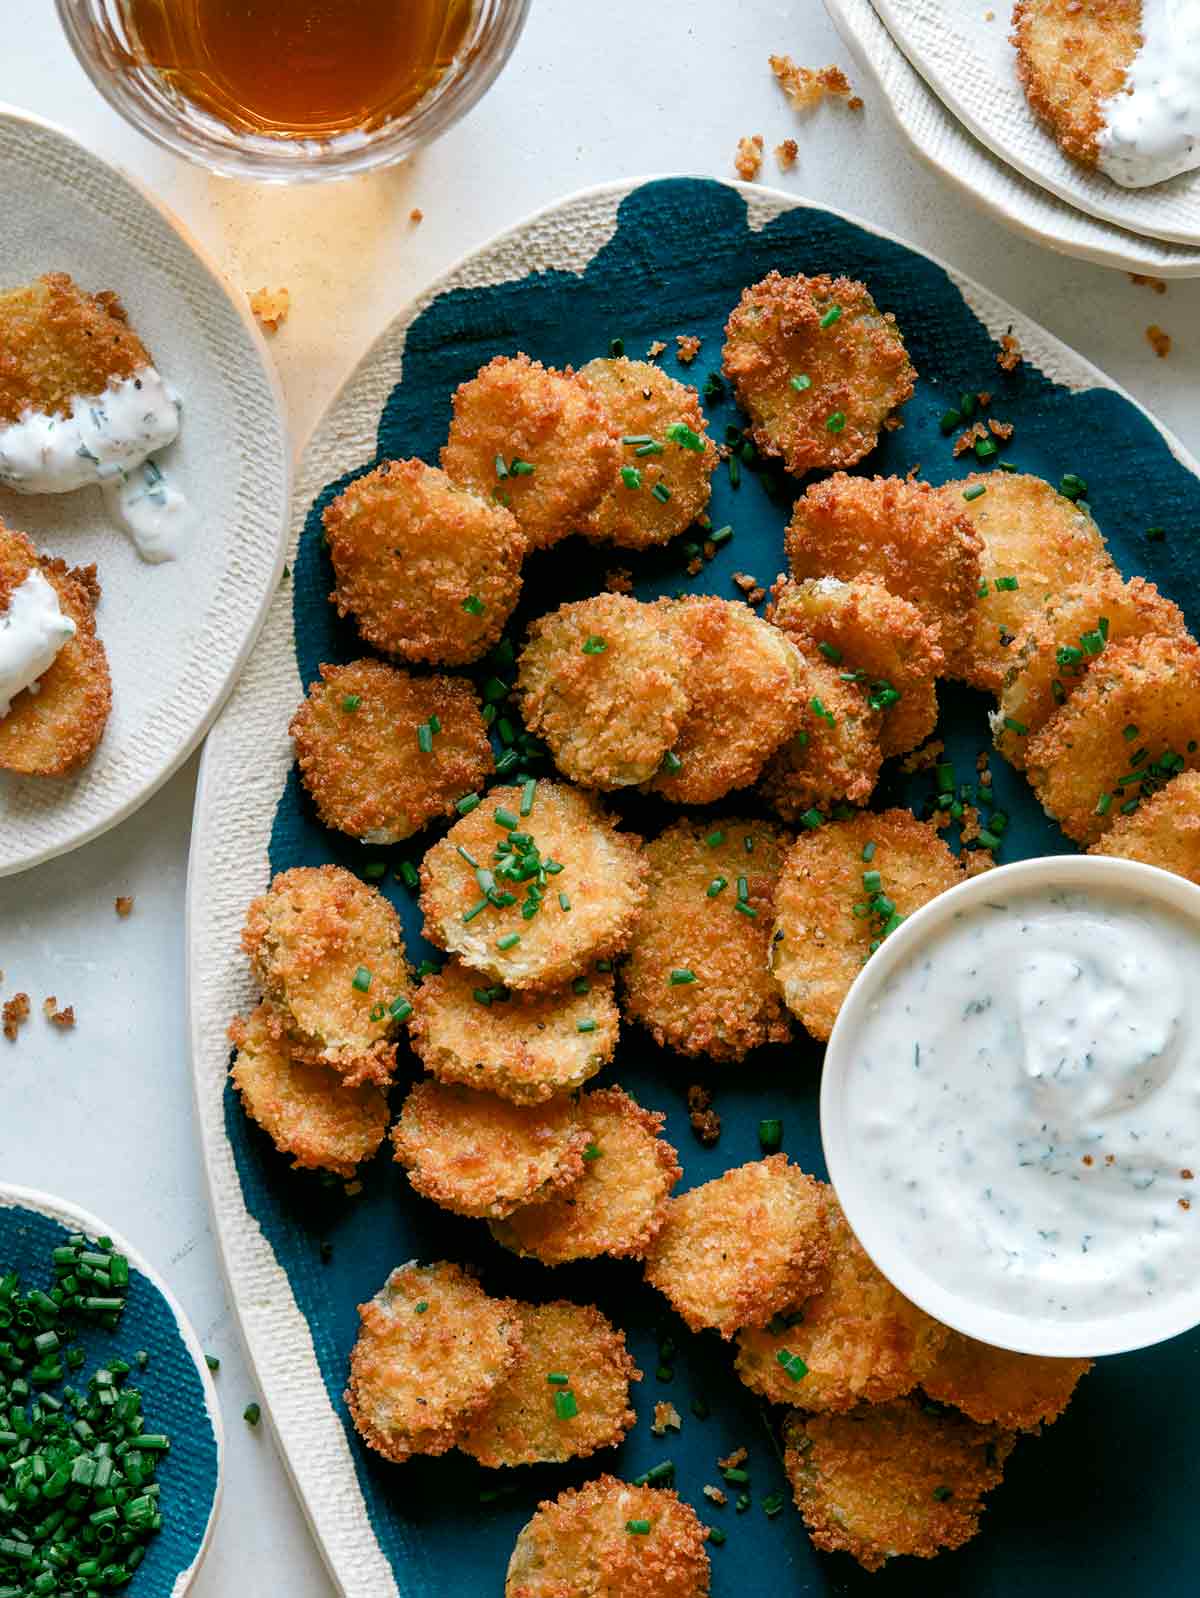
[105, 1115]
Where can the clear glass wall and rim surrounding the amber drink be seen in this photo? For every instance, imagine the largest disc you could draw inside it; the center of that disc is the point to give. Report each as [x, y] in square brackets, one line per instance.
[148, 101]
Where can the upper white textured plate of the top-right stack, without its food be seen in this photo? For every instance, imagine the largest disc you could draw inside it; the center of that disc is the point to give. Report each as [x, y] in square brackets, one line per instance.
[972, 66]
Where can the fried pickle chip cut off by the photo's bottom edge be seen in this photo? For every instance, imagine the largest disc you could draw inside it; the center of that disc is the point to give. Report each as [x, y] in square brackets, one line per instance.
[578, 1546]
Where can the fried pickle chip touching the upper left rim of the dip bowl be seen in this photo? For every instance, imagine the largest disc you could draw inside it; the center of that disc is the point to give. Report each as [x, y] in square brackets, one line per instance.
[819, 945]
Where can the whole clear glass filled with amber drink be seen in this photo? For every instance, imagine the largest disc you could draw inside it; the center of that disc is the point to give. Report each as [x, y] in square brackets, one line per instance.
[293, 90]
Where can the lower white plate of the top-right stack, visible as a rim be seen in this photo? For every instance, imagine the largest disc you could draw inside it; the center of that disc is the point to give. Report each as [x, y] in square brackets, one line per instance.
[942, 141]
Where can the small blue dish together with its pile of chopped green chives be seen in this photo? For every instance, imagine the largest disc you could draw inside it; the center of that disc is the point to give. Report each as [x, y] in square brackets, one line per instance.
[111, 1434]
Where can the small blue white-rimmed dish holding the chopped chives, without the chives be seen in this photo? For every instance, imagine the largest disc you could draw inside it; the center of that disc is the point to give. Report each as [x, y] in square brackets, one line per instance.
[177, 1385]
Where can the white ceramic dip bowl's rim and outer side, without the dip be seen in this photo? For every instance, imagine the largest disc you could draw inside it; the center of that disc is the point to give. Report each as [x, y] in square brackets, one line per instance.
[908, 1271]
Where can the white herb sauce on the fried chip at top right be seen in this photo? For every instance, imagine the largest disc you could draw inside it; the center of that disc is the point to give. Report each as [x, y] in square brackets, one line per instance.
[1153, 122]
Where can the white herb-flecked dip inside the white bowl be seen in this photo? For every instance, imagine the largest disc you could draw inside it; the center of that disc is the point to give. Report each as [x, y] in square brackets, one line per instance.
[1027, 1105]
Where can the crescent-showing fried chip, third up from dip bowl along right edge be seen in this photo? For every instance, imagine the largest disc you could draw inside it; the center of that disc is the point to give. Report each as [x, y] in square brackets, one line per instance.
[1059, 646]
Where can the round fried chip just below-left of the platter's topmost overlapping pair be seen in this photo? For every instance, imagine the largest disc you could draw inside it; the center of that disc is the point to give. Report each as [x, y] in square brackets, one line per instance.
[416, 555]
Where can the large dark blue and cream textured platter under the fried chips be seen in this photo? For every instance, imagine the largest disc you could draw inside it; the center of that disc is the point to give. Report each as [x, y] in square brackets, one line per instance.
[646, 261]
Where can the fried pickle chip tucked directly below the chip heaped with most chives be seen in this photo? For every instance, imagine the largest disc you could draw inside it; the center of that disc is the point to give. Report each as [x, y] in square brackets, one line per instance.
[525, 1047]
